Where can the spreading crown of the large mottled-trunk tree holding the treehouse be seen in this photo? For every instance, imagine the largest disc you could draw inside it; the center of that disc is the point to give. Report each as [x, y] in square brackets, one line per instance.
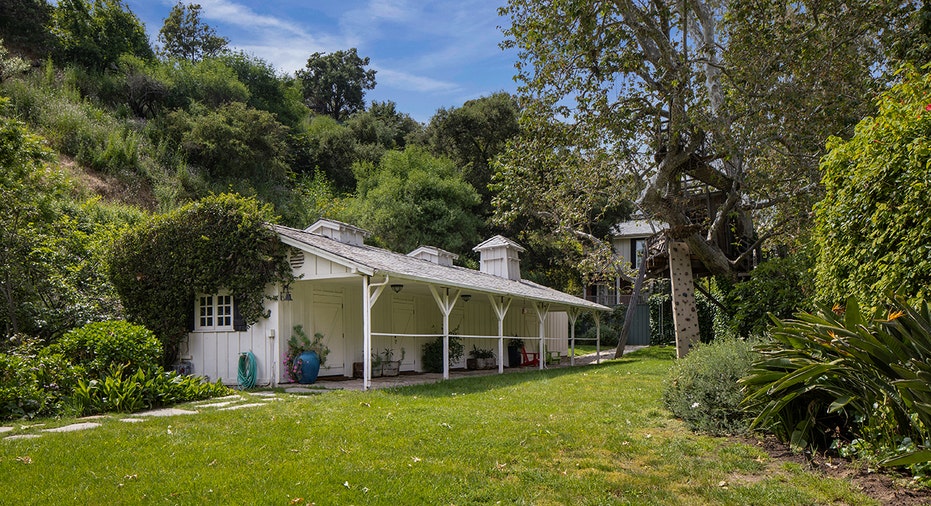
[661, 97]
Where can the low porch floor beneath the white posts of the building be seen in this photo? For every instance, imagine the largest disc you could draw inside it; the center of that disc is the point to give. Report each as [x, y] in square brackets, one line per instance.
[323, 384]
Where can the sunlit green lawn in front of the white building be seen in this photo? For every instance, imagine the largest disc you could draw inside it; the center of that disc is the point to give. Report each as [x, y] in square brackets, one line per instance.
[588, 435]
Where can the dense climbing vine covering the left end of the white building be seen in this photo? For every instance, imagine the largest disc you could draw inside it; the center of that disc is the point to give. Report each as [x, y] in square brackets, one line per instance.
[218, 243]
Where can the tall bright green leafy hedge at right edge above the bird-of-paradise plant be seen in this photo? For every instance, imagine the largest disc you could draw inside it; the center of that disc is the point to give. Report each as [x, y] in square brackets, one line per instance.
[873, 228]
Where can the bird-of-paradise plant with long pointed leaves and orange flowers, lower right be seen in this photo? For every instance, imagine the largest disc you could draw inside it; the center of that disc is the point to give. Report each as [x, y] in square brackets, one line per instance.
[840, 376]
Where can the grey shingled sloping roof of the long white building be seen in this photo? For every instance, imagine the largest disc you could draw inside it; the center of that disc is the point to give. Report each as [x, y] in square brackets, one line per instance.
[371, 261]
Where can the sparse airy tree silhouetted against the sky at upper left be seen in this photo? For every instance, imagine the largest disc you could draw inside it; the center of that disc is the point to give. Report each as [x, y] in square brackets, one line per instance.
[184, 36]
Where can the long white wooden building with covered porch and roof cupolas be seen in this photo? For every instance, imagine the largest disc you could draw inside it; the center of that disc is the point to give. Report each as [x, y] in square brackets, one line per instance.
[365, 299]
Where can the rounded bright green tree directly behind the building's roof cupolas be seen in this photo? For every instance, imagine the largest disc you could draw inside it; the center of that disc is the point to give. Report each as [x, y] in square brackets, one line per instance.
[412, 199]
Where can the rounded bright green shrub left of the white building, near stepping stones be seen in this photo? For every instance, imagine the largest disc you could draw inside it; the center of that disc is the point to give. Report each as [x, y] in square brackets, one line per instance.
[99, 346]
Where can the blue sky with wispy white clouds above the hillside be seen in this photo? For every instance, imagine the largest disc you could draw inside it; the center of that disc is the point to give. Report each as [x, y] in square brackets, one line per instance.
[427, 54]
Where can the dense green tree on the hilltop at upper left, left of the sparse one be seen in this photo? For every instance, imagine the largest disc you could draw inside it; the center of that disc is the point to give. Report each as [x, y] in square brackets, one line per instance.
[95, 33]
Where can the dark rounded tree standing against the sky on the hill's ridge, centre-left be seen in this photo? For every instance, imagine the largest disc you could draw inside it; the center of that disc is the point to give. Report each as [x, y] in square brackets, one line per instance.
[335, 83]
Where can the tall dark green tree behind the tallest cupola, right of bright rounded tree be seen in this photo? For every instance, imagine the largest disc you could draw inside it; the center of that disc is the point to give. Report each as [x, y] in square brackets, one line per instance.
[473, 135]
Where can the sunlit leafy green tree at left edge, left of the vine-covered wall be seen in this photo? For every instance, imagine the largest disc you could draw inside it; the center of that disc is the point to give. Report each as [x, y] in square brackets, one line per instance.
[52, 249]
